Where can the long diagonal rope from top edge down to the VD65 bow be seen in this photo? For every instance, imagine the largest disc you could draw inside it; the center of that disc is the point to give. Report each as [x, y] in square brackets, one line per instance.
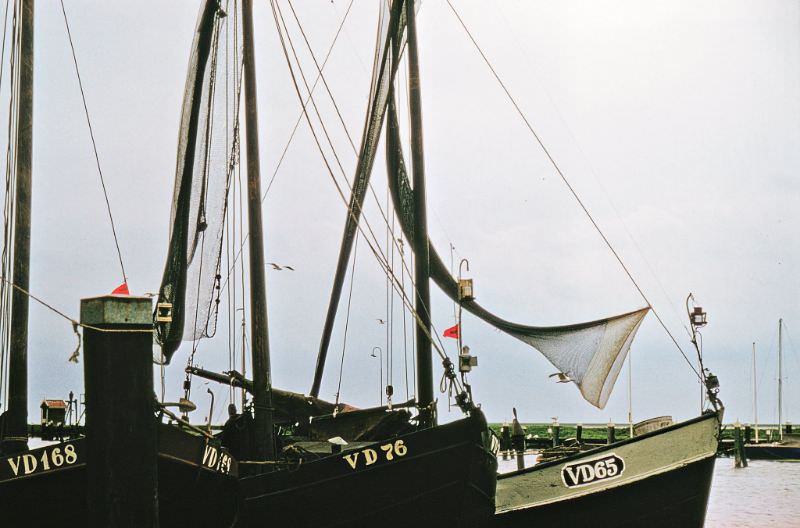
[570, 187]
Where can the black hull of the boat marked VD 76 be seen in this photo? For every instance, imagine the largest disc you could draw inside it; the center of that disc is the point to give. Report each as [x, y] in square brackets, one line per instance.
[445, 478]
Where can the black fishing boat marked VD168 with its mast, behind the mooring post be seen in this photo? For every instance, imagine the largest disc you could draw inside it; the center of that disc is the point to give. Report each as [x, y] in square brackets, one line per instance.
[46, 486]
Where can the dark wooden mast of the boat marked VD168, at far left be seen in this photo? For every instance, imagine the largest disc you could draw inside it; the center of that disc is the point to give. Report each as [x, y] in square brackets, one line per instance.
[15, 434]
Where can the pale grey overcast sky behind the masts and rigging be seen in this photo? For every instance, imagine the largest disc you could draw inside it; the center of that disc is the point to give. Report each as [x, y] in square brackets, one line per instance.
[678, 123]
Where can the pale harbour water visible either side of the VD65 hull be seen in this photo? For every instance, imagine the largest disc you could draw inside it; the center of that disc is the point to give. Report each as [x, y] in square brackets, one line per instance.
[766, 493]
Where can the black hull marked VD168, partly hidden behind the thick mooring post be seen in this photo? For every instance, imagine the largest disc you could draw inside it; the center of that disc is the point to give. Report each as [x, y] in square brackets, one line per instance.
[46, 487]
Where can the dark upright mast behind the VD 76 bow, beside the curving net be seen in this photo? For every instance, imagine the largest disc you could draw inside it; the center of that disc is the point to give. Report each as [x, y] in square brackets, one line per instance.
[421, 255]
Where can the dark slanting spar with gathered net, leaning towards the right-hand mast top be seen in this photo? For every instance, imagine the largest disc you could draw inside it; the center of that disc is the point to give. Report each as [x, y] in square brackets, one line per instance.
[383, 72]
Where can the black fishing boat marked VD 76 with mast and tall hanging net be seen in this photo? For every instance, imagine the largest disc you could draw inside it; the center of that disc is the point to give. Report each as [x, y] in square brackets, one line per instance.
[304, 461]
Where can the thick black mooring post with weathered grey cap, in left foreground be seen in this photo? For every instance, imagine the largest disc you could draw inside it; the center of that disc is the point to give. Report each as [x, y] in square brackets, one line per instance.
[121, 429]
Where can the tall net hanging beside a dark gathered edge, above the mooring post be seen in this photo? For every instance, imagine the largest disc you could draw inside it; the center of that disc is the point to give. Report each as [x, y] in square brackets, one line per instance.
[206, 156]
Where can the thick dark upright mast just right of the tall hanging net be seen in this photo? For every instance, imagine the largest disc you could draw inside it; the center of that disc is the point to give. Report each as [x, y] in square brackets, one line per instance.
[262, 379]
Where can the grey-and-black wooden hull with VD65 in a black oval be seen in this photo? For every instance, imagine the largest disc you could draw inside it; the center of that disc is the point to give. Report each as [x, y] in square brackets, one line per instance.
[662, 478]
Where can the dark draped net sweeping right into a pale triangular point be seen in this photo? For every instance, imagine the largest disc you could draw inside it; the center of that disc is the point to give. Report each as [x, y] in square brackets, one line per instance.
[589, 354]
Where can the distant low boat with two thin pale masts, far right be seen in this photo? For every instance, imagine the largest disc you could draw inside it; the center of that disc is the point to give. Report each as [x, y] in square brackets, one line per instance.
[787, 445]
